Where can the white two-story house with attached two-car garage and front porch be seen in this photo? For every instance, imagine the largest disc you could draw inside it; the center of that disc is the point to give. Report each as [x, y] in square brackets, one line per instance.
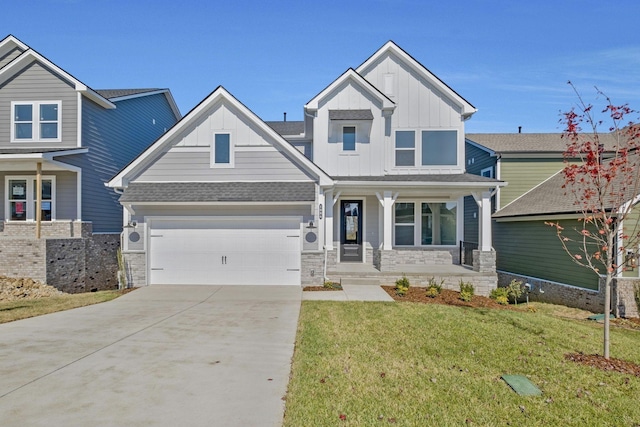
[372, 181]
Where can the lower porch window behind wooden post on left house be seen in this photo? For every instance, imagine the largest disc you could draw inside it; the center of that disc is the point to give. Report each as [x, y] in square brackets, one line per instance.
[21, 200]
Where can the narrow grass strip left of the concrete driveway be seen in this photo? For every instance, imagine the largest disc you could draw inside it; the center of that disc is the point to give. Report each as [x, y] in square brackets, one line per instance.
[16, 310]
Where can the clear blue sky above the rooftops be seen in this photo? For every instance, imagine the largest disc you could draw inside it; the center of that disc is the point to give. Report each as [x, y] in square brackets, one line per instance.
[511, 59]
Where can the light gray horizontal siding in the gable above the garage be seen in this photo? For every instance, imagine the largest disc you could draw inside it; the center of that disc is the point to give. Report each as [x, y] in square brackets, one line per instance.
[185, 164]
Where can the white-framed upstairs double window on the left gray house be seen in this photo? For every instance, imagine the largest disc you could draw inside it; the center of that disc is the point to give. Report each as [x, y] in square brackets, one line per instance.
[35, 121]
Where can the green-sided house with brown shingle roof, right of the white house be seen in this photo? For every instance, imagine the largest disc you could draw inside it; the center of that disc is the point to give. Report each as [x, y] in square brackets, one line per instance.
[527, 249]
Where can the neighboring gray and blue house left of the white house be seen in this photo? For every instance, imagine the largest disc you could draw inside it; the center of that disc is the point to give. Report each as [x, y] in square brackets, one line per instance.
[62, 137]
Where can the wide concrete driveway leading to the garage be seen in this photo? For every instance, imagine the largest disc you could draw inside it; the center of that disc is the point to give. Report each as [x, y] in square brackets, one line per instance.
[161, 355]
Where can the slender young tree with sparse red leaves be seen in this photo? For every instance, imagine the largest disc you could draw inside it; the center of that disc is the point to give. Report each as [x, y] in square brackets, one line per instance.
[602, 174]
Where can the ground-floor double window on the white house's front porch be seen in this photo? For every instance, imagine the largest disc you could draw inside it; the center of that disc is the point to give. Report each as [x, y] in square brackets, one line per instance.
[421, 223]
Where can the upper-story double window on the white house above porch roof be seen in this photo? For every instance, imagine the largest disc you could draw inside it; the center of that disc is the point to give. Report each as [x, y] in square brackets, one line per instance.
[436, 148]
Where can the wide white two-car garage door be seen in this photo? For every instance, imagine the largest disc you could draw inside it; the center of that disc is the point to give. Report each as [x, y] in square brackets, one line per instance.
[224, 251]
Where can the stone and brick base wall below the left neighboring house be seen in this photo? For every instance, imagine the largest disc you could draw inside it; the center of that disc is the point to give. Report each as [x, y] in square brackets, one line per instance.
[75, 260]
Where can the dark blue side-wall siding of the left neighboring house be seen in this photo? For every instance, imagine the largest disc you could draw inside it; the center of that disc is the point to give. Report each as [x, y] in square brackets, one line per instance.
[114, 138]
